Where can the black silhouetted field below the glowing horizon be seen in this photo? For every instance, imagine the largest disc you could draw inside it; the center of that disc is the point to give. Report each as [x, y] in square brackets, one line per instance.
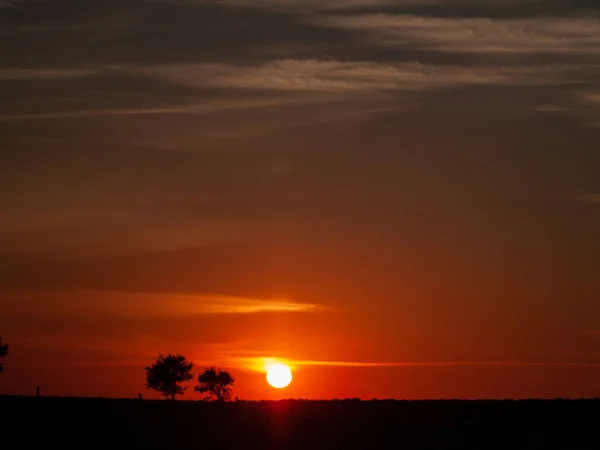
[47, 422]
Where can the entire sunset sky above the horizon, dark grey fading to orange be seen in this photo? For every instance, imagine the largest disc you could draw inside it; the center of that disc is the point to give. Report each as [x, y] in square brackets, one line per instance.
[400, 199]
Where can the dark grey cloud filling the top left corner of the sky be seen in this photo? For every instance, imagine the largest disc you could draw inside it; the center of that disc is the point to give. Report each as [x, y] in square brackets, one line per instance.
[138, 31]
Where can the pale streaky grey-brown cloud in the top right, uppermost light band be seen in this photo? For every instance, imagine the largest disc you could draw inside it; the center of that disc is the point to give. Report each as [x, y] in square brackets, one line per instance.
[474, 35]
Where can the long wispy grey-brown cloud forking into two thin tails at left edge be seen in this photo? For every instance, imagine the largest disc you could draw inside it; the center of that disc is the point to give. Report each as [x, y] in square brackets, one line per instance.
[288, 82]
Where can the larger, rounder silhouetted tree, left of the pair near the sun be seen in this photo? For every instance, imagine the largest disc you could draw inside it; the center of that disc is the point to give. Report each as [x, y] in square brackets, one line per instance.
[167, 374]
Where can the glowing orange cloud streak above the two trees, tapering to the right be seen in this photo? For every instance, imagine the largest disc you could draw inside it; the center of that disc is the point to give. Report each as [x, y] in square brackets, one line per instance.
[131, 304]
